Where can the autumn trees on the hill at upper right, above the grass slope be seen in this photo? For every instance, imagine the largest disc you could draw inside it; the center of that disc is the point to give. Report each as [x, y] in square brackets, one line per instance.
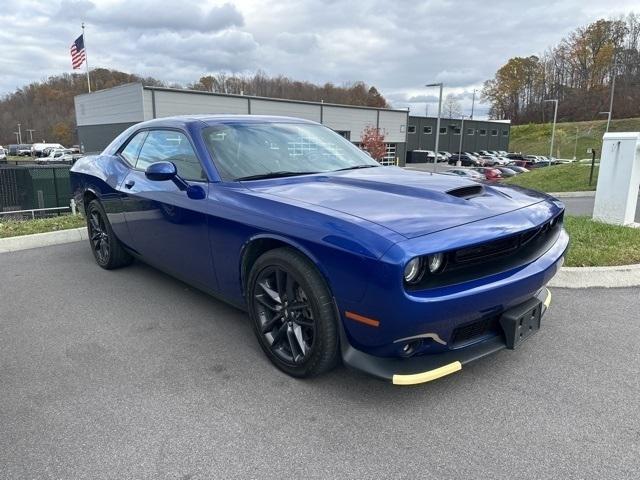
[578, 71]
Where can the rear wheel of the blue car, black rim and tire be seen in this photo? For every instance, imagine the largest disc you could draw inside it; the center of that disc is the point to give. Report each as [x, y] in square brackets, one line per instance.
[107, 249]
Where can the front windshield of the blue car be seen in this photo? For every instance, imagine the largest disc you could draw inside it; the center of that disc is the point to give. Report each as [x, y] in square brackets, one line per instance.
[262, 150]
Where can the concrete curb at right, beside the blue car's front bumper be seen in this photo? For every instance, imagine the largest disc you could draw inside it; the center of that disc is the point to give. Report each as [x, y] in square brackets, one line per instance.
[597, 277]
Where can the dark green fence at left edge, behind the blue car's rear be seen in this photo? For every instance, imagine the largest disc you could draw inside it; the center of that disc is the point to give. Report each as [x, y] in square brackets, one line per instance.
[34, 187]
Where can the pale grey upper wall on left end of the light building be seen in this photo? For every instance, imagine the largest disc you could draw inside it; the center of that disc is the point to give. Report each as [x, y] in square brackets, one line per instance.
[115, 105]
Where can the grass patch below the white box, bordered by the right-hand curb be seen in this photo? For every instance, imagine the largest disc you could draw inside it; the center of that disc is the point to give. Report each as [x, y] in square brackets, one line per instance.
[595, 244]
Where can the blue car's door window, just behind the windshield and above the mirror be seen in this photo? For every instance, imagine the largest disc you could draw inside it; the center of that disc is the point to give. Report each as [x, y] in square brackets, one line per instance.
[174, 147]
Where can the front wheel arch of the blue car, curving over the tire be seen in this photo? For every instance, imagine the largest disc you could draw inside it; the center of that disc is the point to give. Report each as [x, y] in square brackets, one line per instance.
[262, 243]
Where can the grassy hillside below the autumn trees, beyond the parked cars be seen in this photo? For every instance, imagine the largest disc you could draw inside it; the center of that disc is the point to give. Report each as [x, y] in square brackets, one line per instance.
[535, 138]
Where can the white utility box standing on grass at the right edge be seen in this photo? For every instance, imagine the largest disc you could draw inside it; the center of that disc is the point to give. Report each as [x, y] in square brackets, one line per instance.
[618, 179]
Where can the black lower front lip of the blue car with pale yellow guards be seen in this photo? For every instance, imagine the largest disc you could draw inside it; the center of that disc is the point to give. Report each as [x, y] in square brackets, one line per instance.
[425, 368]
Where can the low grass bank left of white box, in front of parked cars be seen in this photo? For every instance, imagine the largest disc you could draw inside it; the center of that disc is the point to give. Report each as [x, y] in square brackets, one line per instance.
[557, 178]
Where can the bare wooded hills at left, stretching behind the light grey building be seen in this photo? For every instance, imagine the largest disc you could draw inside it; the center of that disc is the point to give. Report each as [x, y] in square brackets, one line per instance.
[47, 107]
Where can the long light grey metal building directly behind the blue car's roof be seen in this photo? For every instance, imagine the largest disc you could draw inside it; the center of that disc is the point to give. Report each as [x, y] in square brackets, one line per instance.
[102, 115]
